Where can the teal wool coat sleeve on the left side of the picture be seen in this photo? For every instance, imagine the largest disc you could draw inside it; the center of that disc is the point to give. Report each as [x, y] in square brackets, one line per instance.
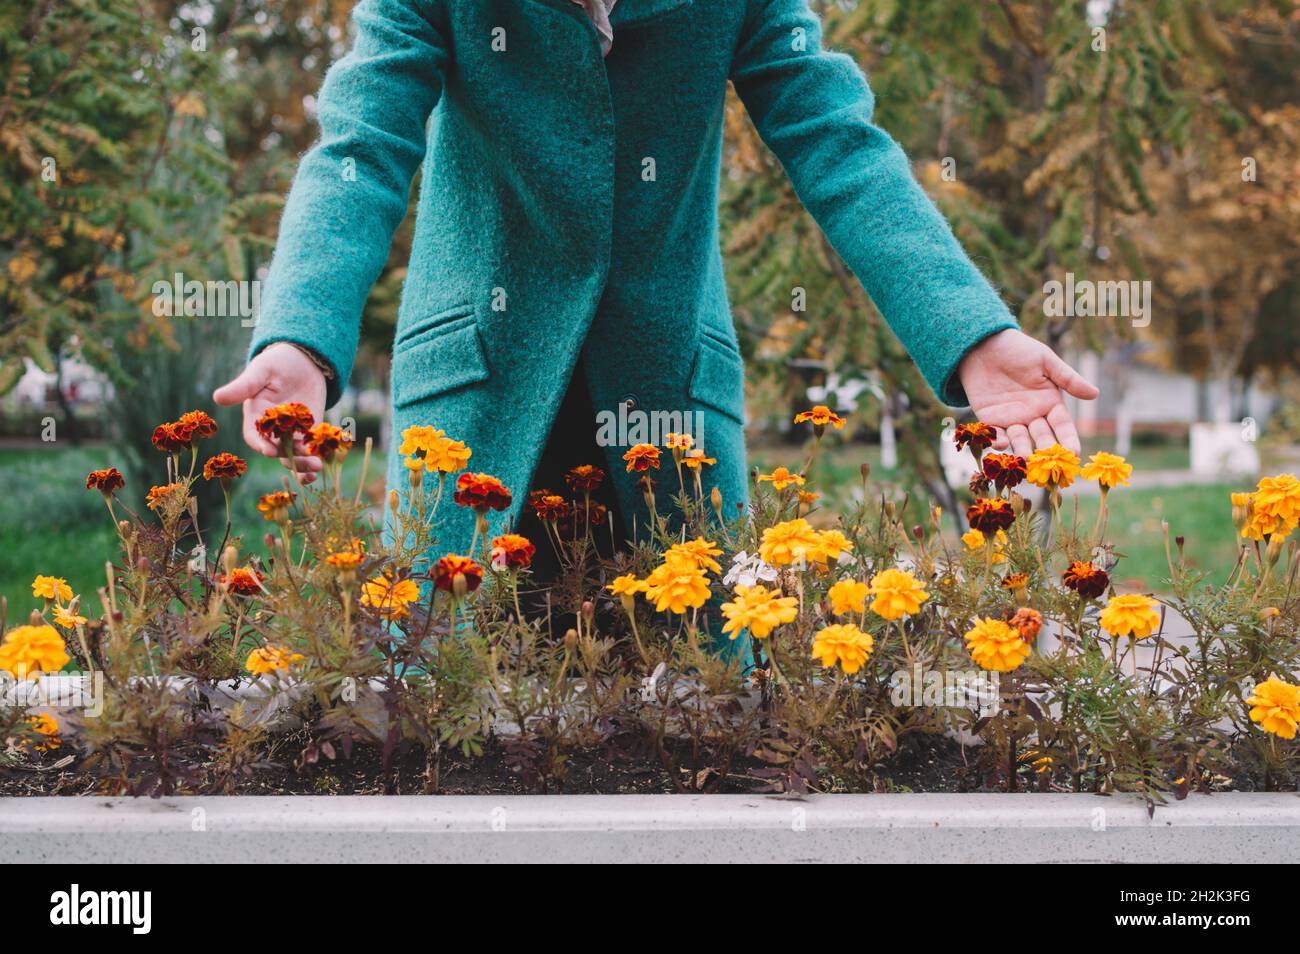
[352, 189]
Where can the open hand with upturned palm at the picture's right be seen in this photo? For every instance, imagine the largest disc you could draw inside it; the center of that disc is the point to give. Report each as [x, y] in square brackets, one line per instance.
[1015, 384]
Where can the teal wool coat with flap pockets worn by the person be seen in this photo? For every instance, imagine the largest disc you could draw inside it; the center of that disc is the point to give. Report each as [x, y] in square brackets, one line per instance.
[543, 237]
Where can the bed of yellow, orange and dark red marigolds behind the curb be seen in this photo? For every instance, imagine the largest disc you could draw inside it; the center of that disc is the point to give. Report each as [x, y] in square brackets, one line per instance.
[770, 647]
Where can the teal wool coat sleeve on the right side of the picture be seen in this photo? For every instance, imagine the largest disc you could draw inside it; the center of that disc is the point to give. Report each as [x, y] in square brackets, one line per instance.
[813, 110]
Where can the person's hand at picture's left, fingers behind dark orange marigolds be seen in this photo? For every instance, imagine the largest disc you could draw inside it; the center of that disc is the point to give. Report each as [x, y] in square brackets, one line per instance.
[280, 374]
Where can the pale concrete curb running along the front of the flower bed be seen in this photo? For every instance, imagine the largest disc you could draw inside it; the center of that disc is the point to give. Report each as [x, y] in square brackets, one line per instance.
[976, 829]
